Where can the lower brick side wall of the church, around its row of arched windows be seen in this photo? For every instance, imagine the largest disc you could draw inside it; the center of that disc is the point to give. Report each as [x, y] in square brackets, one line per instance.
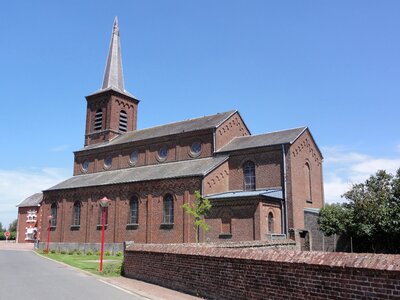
[149, 227]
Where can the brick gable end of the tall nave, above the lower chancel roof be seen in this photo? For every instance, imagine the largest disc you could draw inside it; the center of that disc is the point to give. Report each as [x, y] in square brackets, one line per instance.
[231, 128]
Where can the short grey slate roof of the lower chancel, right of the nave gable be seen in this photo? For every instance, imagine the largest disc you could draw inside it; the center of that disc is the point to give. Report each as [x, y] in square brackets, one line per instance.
[263, 140]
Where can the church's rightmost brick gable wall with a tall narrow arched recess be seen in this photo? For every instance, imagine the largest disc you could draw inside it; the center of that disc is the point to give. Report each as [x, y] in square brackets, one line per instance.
[301, 152]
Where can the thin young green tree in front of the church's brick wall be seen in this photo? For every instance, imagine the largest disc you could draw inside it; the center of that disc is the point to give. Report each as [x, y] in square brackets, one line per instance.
[200, 207]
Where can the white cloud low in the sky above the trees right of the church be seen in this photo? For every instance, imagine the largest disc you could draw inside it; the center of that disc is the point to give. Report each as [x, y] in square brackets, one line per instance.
[344, 168]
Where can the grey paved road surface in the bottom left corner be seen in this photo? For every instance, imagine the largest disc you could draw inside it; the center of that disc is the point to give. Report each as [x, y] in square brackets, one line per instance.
[25, 275]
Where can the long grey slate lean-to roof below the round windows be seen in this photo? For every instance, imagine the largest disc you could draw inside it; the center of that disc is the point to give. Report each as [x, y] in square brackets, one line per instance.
[188, 168]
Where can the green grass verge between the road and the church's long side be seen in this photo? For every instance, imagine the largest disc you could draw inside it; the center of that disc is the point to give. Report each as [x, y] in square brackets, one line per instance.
[111, 264]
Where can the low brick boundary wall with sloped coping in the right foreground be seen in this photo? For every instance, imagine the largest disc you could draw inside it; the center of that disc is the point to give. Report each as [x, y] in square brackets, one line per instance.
[229, 273]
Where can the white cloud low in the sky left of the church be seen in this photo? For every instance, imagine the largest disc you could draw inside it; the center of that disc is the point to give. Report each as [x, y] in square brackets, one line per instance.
[17, 185]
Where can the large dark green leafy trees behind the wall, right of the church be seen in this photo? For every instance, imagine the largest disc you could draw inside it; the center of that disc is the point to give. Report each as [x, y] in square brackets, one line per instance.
[371, 216]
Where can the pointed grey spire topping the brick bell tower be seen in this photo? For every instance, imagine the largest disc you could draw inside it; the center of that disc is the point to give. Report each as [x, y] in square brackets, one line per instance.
[113, 75]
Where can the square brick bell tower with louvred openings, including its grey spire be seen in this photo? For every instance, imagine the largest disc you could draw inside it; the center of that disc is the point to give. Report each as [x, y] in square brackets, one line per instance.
[111, 111]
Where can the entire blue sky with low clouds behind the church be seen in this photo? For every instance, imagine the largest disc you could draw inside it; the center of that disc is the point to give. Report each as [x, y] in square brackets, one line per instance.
[331, 65]
